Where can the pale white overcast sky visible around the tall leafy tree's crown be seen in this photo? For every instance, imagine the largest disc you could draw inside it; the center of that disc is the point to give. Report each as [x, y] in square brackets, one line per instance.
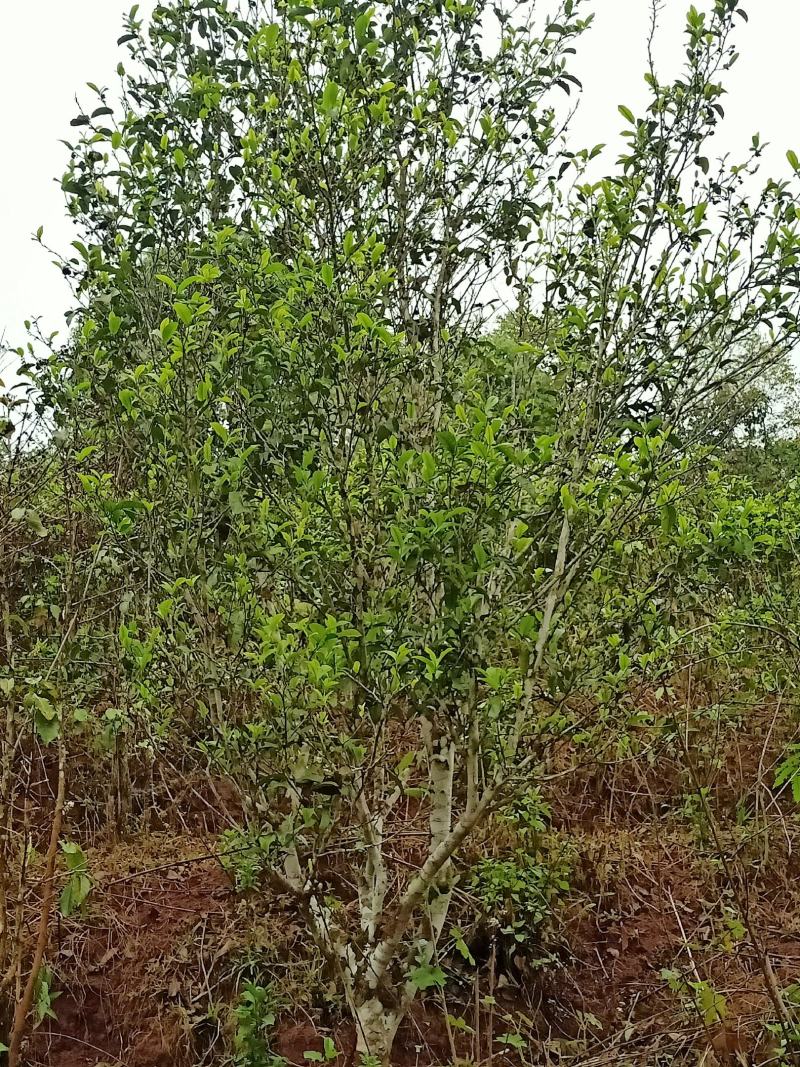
[51, 49]
